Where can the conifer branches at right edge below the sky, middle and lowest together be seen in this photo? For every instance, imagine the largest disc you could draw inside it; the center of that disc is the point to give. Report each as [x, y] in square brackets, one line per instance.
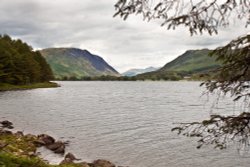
[232, 78]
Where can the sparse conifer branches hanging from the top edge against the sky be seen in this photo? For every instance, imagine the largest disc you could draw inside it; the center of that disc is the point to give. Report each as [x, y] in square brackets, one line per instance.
[198, 15]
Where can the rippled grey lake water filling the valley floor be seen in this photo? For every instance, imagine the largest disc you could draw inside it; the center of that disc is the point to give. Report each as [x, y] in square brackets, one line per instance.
[128, 123]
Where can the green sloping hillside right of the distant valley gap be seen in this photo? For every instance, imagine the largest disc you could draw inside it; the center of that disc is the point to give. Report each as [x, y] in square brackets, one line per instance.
[189, 63]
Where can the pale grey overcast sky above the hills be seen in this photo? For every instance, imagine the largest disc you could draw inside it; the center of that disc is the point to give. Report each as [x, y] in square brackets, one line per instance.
[89, 24]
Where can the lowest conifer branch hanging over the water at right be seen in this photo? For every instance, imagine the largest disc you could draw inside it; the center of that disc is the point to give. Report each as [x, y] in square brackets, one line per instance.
[219, 130]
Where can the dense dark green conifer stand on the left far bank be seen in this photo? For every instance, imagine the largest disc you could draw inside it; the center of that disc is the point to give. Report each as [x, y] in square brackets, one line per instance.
[20, 65]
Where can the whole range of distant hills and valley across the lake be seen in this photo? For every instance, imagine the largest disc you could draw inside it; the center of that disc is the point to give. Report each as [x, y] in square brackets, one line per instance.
[77, 64]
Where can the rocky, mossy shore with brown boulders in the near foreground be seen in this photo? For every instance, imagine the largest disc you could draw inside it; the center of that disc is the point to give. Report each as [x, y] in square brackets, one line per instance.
[19, 149]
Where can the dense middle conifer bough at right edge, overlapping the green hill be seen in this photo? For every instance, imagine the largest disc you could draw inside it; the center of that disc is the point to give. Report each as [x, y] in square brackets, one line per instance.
[234, 76]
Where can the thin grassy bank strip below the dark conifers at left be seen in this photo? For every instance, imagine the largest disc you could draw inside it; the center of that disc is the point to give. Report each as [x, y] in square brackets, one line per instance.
[8, 87]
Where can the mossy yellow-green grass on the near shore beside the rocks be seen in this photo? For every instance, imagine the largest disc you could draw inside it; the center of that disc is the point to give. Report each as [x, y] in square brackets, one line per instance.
[16, 153]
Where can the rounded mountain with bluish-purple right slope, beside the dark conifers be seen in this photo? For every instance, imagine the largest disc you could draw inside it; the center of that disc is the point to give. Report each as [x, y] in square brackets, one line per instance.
[77, 63]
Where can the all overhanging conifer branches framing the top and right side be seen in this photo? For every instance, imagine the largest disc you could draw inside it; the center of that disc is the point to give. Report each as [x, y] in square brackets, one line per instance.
[232, 78]
